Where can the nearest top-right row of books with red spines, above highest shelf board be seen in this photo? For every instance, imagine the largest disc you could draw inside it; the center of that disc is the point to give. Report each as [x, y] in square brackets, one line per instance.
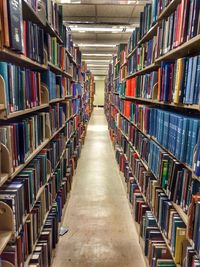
[179, 27]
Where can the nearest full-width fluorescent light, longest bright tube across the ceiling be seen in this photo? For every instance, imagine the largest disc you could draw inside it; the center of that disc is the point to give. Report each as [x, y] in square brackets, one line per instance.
[101, 29]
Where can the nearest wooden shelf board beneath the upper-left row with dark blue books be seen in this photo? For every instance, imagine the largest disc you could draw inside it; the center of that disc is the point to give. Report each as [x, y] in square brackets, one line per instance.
[19, 59]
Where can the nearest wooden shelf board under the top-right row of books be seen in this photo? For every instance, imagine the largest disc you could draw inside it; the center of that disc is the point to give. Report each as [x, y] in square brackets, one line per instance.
[190, 47]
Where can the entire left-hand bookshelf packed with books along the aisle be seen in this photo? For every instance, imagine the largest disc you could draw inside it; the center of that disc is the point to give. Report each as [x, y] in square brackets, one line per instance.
[53, 116]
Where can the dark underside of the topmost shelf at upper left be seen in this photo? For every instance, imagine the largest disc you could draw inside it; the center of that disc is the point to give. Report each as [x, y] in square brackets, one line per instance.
[30, 14]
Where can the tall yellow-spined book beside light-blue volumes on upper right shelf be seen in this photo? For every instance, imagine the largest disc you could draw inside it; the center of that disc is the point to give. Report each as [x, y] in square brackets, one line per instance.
[179, 77]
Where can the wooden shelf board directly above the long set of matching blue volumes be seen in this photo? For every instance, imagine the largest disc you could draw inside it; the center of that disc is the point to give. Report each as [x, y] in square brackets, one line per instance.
[156, 102]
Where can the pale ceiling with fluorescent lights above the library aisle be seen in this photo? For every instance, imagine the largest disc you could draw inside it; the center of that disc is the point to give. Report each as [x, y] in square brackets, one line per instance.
[98, 26]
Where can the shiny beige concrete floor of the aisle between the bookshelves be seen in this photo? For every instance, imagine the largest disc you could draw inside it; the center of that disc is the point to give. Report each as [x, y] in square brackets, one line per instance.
[101, 229]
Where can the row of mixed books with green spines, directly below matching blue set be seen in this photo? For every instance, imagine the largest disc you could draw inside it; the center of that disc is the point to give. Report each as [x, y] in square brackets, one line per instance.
[173, 177]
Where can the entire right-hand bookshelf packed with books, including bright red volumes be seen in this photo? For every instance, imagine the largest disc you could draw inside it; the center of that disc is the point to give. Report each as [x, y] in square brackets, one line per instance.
[137, 149]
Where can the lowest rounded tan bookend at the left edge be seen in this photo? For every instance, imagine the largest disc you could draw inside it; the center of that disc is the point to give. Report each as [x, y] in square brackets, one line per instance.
[6, 225]
